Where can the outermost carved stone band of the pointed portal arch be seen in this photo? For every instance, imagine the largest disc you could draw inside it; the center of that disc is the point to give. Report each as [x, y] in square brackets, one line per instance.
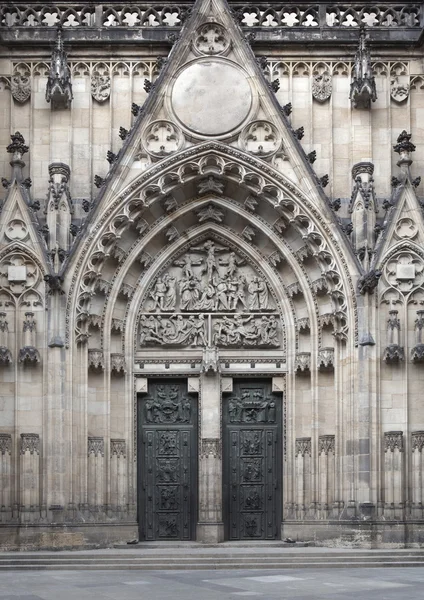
[260, 180]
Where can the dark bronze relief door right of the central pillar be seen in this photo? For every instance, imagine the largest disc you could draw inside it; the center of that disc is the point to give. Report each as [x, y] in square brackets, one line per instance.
[252, 474]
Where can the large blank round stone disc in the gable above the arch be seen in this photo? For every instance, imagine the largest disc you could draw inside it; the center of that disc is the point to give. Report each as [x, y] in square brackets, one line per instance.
[211, 97]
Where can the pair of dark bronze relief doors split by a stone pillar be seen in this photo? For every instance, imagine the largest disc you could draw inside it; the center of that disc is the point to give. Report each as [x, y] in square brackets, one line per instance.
[168, 462]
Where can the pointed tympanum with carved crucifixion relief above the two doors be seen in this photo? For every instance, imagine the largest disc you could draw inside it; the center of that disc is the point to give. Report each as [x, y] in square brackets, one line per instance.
[209, 296]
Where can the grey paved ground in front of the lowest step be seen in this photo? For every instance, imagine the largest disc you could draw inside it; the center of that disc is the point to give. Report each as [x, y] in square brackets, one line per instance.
[302, 584]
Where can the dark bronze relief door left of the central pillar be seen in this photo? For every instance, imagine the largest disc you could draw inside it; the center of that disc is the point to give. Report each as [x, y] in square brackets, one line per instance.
[167, 462]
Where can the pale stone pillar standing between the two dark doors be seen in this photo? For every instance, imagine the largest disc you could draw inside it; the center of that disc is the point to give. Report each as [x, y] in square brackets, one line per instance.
[210, 528]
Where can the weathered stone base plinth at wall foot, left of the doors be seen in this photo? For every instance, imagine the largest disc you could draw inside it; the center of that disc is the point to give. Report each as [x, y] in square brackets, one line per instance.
[66, 537]
